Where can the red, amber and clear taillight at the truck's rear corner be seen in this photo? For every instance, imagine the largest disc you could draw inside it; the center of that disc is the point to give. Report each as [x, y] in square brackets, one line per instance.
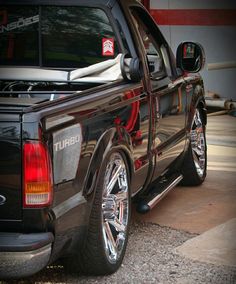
[37, 179]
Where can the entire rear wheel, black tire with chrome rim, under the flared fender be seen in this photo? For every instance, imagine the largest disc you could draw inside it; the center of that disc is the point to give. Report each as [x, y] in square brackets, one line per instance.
[107, 236]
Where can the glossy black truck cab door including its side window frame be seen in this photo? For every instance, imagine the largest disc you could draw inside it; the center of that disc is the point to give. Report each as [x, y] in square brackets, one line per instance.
[167, 92]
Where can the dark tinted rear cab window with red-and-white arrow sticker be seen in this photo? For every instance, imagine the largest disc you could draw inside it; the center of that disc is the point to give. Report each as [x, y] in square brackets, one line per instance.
[57, 37]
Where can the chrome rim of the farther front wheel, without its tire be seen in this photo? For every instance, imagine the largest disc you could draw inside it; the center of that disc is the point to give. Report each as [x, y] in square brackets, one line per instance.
[198, 144]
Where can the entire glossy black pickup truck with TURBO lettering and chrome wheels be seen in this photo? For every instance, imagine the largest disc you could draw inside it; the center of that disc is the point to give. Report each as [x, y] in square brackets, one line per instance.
[95, 112]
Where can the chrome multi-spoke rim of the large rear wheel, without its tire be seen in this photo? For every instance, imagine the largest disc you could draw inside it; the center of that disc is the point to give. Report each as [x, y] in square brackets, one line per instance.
[115, 207]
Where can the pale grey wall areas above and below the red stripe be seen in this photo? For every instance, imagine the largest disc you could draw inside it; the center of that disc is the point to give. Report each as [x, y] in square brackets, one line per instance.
[219, 42]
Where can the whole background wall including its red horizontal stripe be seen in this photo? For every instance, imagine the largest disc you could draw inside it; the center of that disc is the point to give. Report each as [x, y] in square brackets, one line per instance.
[209, 22]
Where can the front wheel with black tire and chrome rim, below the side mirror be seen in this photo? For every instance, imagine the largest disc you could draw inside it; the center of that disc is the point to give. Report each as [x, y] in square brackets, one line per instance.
[195, 161]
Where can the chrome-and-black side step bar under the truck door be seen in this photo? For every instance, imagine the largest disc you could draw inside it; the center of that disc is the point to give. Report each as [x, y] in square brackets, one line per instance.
[157, 194]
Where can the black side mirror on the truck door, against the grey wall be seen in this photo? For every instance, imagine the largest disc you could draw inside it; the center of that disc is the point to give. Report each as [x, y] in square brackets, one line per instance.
[190, 57]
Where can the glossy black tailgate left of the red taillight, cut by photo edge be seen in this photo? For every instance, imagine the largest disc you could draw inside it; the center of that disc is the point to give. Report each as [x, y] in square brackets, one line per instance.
[10, 167]
